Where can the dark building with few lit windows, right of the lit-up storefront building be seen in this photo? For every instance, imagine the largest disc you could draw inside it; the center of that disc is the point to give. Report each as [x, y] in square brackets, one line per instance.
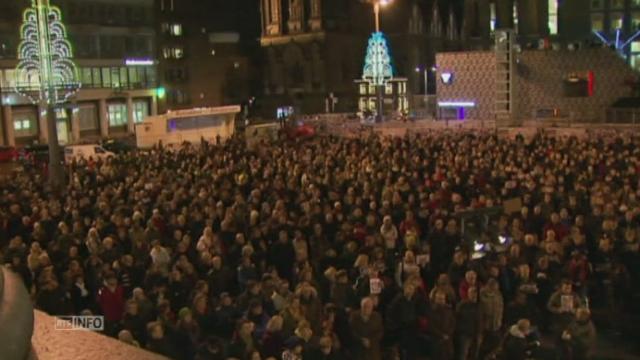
[201, 59]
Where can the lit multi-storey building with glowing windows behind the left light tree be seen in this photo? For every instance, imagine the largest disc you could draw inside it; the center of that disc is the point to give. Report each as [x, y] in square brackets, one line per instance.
[114, 44]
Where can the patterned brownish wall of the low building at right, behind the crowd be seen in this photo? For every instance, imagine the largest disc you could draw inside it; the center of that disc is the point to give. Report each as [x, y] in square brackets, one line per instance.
[539, 83]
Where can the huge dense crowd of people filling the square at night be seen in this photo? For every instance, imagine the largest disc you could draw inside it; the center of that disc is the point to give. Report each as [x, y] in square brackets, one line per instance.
[336, 248]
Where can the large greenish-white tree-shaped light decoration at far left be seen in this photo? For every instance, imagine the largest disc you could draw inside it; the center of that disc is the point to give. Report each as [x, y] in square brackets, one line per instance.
[45, 71]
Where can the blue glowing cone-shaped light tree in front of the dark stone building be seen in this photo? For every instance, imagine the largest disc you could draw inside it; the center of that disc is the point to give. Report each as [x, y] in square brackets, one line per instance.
[378, 68]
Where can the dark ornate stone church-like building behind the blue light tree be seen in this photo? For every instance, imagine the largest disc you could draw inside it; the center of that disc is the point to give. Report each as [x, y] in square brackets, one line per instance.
[314, 49]
